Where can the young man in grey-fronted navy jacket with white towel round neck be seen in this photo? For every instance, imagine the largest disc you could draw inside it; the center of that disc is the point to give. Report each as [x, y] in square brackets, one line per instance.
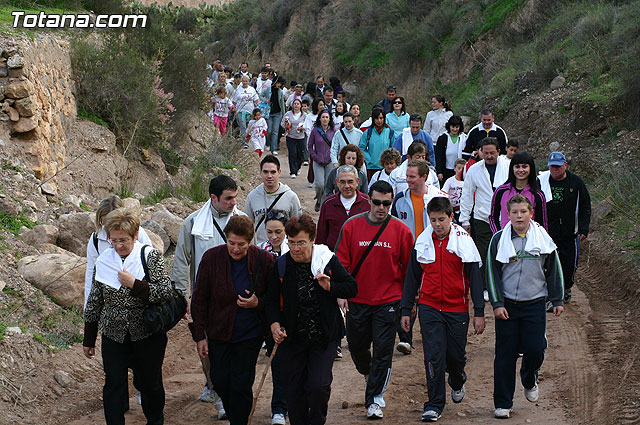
[519, 279]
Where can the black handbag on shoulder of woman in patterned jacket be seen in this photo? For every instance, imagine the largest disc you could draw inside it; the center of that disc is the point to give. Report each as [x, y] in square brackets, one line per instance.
[163, 316]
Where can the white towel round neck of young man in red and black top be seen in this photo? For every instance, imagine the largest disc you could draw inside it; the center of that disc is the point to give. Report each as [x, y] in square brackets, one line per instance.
[460, 244]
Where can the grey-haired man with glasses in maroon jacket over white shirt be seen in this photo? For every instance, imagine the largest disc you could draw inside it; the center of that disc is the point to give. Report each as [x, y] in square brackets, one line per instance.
[337, 208]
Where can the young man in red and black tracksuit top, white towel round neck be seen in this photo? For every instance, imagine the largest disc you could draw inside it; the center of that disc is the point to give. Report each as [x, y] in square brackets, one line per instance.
[444, 265]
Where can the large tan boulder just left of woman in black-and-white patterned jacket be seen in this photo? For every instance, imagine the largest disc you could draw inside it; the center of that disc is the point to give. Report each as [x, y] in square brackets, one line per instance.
[61, 276]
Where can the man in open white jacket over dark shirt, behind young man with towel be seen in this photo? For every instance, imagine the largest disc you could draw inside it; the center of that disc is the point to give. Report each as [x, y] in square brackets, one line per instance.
[479, 183]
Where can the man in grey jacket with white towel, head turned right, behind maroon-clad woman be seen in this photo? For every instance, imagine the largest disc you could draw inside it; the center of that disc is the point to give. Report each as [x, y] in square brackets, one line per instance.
[203, 229]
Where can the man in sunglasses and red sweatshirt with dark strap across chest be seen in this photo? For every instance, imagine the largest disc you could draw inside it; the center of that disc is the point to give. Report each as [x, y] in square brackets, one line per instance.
[384, 242]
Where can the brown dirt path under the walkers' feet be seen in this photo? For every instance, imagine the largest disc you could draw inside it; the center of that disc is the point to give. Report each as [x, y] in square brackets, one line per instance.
[588, 376]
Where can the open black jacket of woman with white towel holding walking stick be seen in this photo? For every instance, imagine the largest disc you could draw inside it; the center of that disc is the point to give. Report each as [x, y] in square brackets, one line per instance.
[282, 297]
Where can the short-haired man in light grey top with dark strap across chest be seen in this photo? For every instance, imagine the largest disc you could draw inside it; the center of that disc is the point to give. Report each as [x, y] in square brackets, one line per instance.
[271, 194]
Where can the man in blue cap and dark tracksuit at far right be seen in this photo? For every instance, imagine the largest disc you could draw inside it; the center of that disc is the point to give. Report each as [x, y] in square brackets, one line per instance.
[569, 214]
